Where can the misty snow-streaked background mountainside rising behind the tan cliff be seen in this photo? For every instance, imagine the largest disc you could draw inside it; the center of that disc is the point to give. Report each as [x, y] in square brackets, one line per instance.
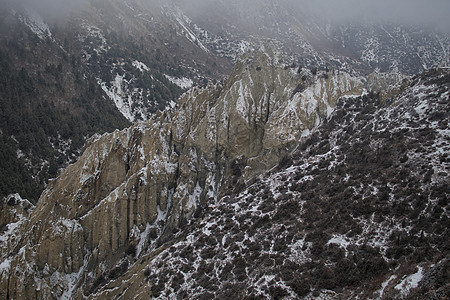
[85, 67]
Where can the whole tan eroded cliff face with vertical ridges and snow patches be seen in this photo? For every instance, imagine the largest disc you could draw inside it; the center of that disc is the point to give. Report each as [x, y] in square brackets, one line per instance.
[132, 190]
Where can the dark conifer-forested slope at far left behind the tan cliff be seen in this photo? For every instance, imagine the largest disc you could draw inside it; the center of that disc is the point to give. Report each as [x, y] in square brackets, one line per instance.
[48, 106]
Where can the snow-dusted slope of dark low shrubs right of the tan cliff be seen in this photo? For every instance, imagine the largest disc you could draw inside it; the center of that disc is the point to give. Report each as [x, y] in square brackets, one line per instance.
[359, 210]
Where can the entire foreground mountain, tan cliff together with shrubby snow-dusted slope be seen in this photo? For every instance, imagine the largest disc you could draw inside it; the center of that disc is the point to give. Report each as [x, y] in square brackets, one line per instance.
[182, 205]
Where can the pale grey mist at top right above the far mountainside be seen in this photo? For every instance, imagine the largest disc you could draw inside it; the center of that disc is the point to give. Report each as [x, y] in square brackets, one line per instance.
[423, 13]
